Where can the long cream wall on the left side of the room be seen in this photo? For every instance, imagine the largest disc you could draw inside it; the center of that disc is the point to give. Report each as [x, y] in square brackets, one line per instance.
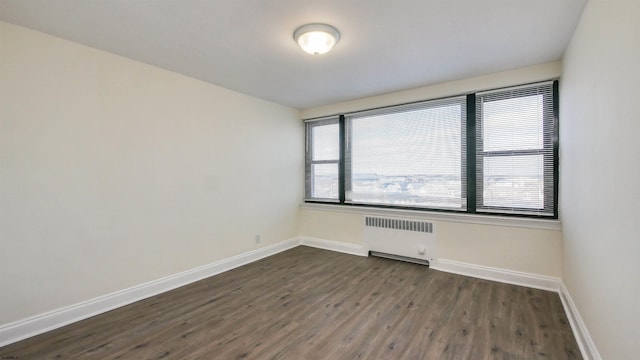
[114, 173]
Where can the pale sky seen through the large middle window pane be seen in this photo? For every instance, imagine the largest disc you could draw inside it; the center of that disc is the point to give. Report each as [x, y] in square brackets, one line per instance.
[418, 142]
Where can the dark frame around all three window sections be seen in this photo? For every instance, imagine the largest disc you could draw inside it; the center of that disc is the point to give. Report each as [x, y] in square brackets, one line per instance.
[471, 157]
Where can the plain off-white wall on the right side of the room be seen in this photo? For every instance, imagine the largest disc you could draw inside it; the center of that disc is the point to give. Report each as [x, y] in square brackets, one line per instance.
[600, 172]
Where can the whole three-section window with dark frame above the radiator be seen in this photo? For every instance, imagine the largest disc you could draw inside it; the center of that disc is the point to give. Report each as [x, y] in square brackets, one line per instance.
[490, 152]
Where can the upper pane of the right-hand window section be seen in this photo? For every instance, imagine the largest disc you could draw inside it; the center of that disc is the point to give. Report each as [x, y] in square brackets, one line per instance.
[513, 124]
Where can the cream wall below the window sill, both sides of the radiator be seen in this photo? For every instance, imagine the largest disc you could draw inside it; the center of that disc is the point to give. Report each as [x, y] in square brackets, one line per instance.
[517, 248]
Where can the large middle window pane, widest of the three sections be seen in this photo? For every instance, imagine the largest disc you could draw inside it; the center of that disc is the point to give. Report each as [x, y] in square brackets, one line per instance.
[411, 158]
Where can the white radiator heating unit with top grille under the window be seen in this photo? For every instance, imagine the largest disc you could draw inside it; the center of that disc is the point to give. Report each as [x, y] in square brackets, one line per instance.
[400, 239]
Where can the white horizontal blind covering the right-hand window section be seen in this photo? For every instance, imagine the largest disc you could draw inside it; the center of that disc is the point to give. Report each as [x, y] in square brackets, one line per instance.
[515, 130]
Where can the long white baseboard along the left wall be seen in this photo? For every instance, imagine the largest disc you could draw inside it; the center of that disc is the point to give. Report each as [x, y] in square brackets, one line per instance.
[35, 325]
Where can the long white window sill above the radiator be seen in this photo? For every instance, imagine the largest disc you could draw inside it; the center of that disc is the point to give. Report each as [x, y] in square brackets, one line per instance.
[531, 223]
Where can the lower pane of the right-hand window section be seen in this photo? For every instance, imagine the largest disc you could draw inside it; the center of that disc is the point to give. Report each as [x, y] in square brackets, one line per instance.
[514, 181]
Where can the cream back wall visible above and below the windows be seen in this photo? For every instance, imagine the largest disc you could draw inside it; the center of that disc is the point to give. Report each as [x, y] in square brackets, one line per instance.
[523, 249]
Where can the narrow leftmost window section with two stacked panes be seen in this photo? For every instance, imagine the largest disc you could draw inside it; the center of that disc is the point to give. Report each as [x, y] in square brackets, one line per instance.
[322, 160]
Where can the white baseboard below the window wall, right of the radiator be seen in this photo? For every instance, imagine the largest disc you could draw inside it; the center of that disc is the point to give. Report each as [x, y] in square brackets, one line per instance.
[496, 274]
